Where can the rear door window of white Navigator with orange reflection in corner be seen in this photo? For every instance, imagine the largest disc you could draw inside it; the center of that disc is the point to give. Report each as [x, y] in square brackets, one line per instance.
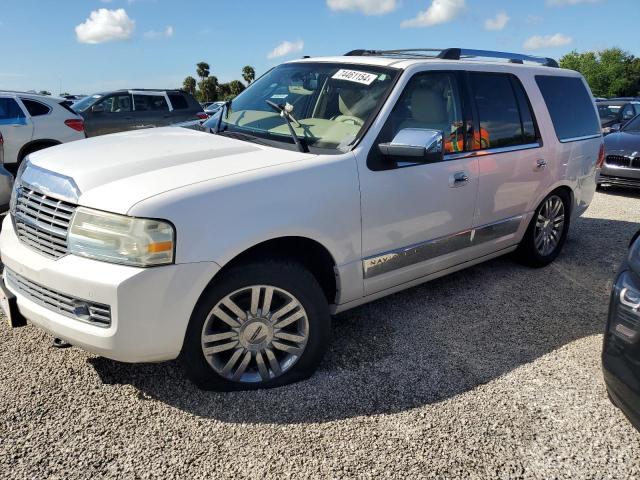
[501, 124]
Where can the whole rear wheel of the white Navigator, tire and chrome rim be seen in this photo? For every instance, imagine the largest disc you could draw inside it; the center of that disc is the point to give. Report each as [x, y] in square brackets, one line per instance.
[547, 231]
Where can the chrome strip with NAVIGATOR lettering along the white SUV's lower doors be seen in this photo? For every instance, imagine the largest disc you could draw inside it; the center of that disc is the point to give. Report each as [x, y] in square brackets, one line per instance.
[410, 255]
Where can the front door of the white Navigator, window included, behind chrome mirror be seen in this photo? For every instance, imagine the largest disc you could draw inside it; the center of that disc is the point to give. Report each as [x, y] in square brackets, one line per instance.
[416, 217]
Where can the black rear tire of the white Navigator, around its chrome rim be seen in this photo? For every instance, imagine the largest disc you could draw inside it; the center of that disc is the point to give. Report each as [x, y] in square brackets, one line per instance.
[527, 252]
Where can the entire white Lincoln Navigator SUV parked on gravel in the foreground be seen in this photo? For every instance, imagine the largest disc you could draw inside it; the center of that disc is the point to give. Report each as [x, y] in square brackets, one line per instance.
[328, 183]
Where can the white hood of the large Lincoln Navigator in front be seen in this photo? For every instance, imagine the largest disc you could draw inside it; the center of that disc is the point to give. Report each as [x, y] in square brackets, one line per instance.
[114, 172]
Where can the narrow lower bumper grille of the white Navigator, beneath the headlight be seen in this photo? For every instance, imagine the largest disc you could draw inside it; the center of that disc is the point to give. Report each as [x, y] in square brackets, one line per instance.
[82, 310]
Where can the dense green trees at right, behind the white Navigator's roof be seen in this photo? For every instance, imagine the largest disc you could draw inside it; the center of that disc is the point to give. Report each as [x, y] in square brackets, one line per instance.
[610, 73]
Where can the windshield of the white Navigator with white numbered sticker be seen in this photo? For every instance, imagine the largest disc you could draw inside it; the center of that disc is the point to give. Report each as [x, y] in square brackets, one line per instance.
[331, 103]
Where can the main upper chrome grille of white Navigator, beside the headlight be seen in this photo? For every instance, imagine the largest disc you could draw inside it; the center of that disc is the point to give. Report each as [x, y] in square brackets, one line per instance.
[42, 222]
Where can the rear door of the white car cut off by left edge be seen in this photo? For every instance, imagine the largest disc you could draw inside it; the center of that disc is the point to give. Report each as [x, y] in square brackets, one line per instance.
[16, 127]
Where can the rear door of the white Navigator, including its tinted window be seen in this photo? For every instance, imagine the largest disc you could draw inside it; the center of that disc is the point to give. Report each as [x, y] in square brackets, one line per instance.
[513, 168]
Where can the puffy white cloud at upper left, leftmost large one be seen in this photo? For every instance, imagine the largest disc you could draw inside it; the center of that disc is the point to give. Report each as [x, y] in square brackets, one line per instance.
[105, 25]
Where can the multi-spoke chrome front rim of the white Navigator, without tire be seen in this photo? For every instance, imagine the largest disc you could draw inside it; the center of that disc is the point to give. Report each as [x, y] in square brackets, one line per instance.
[255, 334]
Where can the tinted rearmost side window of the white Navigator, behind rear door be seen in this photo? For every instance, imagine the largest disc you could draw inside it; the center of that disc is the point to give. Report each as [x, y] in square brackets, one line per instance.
[570, 106]
